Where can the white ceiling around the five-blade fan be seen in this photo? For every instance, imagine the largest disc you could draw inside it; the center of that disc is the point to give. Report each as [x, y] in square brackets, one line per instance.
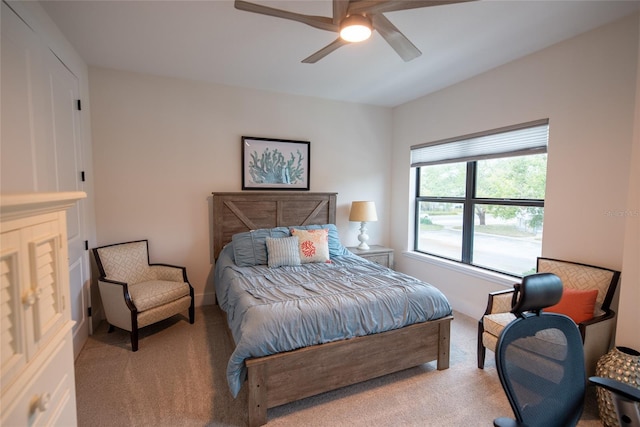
[212, 41]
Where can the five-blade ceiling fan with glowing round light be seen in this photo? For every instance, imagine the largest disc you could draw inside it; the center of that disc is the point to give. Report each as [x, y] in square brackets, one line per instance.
[359, 16]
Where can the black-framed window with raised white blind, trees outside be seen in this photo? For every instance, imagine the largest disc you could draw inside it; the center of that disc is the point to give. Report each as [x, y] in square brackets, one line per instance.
[480, 198]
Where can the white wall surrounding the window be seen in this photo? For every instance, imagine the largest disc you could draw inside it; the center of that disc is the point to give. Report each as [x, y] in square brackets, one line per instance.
[586, 87]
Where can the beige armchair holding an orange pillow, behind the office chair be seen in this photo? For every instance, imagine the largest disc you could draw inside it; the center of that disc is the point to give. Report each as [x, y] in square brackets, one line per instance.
[597, 333]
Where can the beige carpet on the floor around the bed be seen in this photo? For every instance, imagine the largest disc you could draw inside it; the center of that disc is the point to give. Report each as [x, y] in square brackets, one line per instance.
[177, 378]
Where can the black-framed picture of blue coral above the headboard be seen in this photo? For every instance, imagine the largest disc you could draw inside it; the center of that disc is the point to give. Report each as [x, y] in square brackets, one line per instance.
[275, 164]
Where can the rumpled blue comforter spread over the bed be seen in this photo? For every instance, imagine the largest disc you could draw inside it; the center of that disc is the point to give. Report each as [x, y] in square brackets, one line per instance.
[271, 310]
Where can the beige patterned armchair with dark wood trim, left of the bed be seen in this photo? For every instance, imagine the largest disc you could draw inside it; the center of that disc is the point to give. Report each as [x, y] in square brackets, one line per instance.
[136, 293]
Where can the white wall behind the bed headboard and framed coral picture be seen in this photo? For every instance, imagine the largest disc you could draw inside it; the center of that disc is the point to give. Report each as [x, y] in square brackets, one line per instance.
[163, 145]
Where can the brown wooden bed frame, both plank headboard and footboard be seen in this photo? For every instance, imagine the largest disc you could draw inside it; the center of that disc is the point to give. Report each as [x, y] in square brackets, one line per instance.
[286, 377]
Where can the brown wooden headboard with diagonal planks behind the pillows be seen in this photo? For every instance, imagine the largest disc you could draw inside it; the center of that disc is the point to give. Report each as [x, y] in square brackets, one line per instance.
[239, 212]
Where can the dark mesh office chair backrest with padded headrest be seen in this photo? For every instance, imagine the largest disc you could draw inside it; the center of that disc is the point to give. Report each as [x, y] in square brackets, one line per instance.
[540, 359]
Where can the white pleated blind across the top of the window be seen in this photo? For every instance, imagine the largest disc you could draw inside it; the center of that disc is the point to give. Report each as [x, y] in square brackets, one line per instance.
[517, 140]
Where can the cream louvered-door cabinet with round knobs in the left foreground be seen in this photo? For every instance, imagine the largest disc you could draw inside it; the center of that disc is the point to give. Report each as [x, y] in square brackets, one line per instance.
[36, 363]
